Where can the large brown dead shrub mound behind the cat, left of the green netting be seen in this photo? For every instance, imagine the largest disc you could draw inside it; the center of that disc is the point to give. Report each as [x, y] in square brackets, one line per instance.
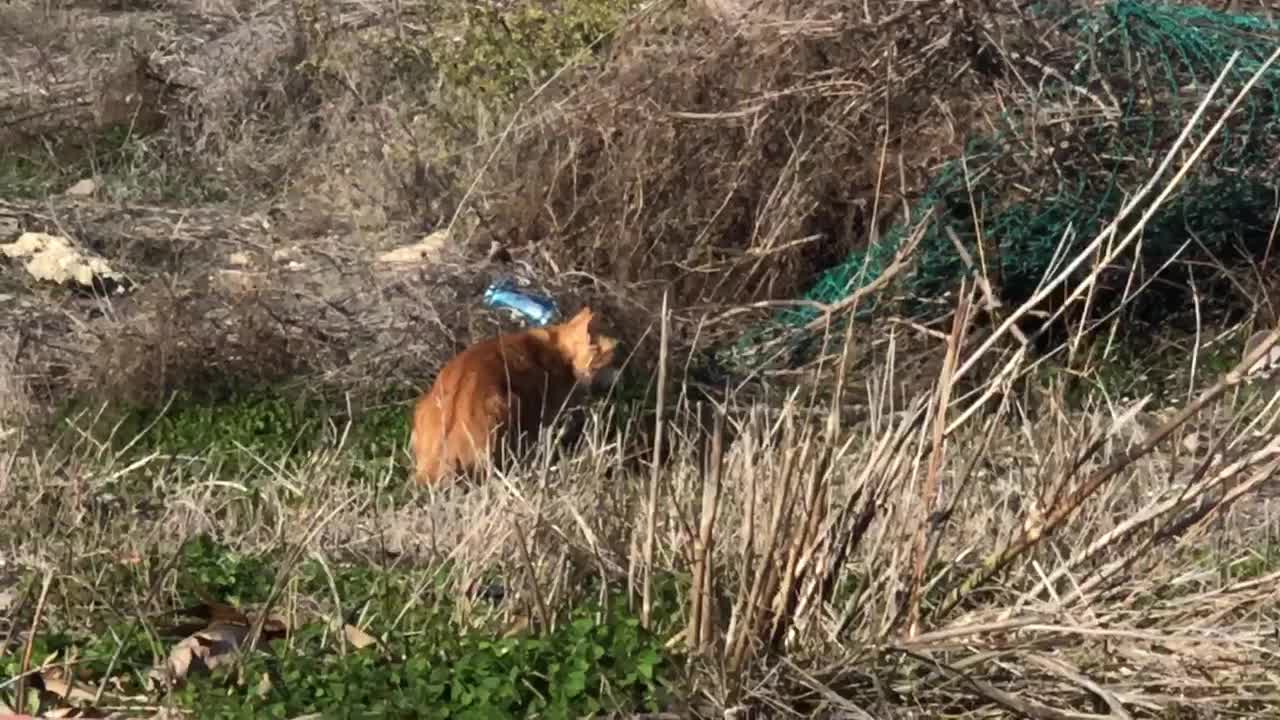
[737, 161]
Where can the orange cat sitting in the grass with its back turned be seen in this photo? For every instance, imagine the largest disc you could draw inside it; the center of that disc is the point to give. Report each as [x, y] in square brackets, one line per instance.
[495, 398]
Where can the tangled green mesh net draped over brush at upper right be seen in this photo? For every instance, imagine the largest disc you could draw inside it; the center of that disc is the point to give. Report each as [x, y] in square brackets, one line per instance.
[1049, 180]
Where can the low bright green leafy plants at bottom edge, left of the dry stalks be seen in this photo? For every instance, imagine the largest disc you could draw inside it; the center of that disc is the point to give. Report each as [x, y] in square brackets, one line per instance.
[600, 660]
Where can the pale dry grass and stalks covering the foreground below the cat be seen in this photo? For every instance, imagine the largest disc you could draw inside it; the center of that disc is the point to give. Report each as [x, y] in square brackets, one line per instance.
[1069, 560]
